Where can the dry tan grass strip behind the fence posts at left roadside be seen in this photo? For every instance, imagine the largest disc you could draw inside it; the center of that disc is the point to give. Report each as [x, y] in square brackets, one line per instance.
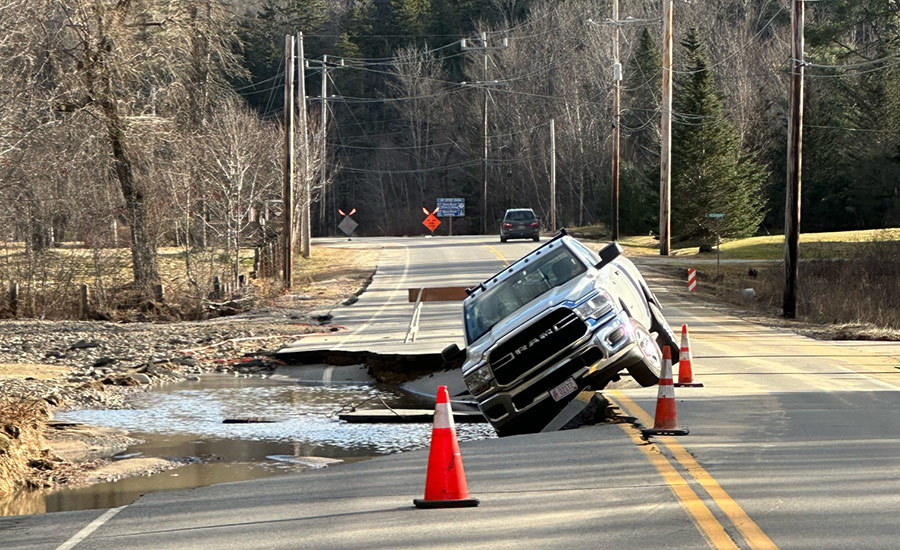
[50, 282]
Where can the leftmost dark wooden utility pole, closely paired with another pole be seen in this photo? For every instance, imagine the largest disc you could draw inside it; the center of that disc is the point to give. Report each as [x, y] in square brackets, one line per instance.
[287, 189]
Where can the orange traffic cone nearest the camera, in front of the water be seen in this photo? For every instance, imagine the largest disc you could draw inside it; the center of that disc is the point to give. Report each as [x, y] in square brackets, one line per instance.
[445, 484]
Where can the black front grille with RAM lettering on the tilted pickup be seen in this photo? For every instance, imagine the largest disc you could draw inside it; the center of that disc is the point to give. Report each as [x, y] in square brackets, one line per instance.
[542, 340]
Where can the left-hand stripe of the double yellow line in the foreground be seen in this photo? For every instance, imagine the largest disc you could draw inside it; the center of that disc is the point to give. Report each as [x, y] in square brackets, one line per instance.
[710, 527]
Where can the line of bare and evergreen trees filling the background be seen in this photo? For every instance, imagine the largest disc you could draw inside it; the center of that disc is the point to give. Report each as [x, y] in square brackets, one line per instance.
[163, 116]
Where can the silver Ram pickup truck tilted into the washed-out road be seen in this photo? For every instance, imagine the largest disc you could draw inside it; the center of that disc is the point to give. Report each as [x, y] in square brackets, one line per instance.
[561, 319]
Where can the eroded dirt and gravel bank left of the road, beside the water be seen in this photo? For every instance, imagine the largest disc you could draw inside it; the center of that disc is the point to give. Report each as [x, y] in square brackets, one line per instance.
[59, 365]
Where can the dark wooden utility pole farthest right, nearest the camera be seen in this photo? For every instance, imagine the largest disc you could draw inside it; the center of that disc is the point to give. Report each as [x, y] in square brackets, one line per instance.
[794, 152]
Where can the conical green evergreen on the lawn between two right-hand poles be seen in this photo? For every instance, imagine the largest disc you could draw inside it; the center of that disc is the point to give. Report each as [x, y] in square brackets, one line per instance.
[710, 173]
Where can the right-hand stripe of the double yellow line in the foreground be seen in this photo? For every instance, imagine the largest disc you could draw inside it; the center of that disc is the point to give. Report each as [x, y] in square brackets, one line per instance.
[751, 532]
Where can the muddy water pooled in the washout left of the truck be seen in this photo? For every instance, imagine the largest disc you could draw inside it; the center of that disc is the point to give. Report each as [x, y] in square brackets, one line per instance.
[184, 422]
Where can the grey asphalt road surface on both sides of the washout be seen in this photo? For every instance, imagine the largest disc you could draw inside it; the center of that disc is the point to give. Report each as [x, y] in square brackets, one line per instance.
[794, 444]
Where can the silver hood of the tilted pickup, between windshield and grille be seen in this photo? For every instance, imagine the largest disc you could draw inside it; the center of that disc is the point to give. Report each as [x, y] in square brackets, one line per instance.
[572, 291]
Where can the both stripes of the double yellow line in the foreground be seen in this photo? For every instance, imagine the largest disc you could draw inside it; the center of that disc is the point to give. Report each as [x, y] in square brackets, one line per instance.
[718, 538]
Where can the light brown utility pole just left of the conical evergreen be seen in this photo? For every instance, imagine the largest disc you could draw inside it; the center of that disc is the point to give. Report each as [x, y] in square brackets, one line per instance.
[665, 131]
